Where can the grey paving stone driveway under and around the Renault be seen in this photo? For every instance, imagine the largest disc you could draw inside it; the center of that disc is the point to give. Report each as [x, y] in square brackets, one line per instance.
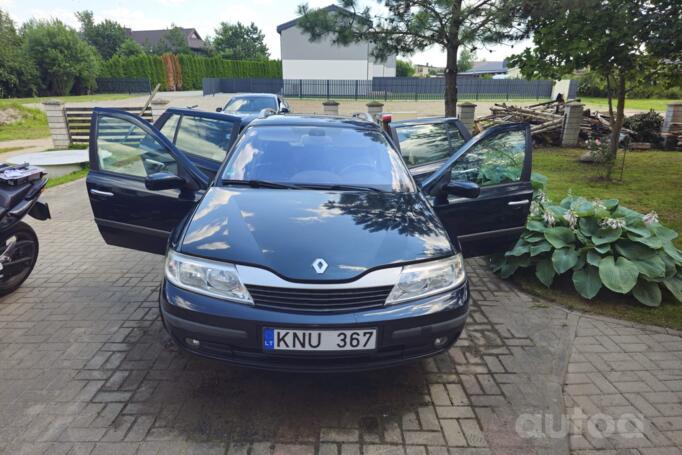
[86, 368]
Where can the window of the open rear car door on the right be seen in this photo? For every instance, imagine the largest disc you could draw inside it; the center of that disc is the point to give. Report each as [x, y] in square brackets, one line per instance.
[428, 142]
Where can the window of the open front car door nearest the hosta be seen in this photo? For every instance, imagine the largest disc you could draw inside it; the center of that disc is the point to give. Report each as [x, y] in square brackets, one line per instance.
[495, 160]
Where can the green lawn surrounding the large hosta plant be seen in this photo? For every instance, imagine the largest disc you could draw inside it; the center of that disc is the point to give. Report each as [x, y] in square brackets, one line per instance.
[651, 181]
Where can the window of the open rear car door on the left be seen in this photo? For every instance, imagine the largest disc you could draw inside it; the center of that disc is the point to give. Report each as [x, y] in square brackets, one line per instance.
[206, 137]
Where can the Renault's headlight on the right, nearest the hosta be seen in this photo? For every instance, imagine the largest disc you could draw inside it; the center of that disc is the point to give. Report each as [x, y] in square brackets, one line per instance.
[421, 280]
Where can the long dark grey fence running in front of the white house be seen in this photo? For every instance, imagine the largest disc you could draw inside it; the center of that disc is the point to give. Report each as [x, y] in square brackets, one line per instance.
[384, 88]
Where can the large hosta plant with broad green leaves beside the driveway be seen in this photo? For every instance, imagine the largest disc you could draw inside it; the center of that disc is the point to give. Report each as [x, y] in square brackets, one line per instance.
[601, 244]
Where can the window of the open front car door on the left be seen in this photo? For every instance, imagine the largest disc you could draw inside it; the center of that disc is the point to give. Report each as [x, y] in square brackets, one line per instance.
[125, 148]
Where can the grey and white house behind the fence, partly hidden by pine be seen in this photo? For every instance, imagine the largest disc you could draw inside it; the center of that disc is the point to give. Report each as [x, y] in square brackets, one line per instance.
[303, 59]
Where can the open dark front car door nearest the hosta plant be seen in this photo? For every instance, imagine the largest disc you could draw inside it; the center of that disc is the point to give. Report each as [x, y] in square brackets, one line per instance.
[499, 161]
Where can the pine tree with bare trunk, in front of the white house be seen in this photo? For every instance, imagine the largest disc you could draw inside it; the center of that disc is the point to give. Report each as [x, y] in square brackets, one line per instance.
[408, 26]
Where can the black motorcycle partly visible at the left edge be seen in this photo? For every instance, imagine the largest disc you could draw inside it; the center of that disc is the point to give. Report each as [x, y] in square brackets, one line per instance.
[20, 188]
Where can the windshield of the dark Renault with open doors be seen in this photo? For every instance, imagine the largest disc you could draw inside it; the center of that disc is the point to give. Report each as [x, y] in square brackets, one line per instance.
[320, 156]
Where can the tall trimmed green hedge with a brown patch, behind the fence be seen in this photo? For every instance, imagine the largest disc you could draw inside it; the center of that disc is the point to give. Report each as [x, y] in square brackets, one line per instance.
[192, 69]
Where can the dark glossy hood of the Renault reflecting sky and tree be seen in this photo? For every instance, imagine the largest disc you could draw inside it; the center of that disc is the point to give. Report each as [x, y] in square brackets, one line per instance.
[285, 231]
